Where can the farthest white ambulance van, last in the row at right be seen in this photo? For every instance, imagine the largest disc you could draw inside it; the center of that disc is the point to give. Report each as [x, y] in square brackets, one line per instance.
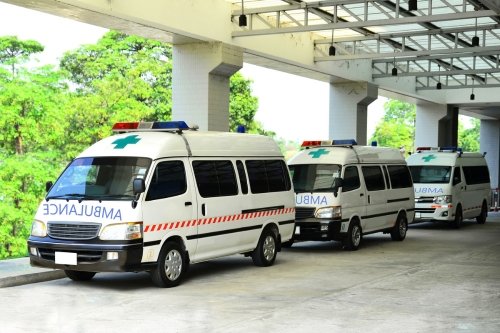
[450, 185]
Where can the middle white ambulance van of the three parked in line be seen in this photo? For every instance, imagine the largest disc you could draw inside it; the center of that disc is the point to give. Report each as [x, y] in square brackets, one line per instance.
[344, 191]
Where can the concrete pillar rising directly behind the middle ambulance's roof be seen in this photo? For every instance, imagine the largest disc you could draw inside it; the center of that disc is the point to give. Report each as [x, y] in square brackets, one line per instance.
[348, 110]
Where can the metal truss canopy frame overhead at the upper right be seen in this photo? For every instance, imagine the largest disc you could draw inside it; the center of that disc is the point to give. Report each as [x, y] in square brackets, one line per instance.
[433, 43]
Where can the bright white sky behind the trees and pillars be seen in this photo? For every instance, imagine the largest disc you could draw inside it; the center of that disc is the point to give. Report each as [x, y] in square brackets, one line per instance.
[281, 108]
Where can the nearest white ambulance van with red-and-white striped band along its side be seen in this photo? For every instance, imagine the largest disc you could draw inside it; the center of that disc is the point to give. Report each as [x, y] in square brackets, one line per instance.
[159, 196]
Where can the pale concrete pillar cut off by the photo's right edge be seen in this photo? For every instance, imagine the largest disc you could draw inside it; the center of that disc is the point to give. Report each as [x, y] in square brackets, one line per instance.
[489, 142]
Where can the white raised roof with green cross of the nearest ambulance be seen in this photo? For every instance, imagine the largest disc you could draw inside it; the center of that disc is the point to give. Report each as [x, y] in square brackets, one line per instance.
[158, 144]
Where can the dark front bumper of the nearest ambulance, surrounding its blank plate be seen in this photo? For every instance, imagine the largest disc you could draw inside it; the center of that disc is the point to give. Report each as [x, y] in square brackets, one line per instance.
[91, 256]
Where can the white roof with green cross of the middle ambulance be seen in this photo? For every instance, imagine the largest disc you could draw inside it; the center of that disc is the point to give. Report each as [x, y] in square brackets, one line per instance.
[347, 155]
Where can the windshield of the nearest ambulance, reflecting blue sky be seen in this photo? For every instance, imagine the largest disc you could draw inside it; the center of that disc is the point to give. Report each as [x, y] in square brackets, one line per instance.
[100, 178]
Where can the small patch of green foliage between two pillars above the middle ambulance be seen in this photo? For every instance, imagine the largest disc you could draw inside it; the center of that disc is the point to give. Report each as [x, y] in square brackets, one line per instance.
[397, 128]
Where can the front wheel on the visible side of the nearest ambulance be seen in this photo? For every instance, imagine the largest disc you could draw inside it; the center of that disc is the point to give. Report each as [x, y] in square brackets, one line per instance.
[171, 266]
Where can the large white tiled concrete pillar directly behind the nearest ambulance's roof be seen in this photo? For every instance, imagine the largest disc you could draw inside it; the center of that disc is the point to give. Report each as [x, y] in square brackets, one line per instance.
[200, 83]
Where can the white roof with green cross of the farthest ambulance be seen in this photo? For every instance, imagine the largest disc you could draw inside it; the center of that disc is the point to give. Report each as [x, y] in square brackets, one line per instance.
[445, 158]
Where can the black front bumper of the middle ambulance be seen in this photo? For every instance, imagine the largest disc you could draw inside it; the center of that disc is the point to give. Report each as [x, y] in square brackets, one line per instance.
[318, 229]
